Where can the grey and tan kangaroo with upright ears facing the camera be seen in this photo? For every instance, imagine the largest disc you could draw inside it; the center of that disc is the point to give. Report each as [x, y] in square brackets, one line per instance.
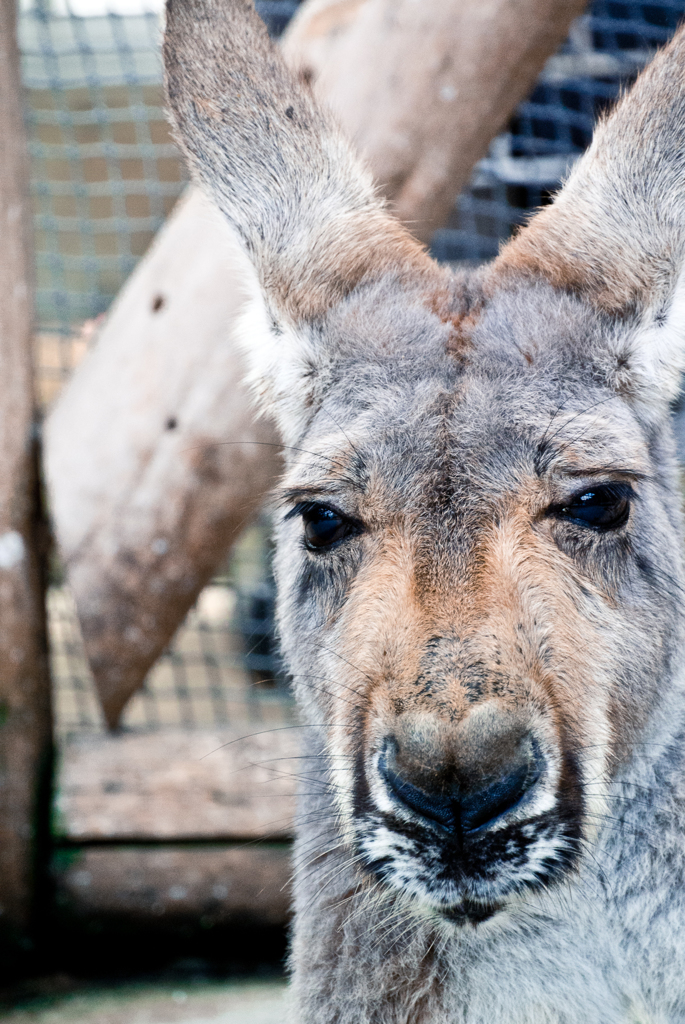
[479, 558]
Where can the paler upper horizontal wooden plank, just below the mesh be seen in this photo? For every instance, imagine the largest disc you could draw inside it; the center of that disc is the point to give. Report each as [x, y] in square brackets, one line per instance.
[179, 785]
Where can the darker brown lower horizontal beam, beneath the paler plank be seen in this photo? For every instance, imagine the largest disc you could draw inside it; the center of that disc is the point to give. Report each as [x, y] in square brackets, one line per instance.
[170, 885]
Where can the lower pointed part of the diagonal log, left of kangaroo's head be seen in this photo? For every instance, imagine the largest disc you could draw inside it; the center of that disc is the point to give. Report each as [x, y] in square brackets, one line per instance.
[154, 459]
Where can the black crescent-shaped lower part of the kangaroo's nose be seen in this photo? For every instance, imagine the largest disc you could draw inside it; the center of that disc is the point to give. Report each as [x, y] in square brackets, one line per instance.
[456, 804]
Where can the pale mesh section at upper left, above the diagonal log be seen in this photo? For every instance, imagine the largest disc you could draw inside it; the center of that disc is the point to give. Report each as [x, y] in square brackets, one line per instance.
[105, 170]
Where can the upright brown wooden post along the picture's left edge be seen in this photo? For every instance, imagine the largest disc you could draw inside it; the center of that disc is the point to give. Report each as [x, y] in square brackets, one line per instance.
[25, 693]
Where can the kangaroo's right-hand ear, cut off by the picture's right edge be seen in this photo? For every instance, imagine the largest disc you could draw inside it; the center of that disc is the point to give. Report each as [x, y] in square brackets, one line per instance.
[616, 233]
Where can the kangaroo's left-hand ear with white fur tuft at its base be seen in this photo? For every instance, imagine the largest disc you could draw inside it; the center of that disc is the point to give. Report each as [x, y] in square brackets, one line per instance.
[290, 185]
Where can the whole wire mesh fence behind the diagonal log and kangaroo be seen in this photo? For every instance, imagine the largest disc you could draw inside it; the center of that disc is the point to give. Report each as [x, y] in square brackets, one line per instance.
[106, 175]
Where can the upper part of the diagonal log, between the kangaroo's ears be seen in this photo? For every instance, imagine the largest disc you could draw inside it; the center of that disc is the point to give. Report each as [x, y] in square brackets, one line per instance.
[423, 89]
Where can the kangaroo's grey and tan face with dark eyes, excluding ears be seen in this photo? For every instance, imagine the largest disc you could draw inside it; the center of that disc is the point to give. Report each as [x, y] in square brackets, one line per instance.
[473, 599]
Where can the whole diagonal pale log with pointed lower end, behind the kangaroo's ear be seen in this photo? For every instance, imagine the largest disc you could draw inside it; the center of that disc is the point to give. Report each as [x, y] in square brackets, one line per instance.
[144, 513]
